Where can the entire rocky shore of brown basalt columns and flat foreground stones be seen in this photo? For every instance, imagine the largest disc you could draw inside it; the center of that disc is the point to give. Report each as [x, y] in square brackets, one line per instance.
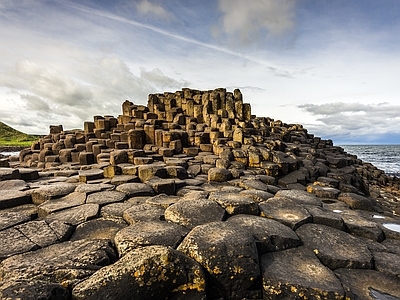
[193, 197]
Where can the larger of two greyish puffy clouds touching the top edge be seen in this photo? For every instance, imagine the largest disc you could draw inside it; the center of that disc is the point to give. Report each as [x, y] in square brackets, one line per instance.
[246, 20]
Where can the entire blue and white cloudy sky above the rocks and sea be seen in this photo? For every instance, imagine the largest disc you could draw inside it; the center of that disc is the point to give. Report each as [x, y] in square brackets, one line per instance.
[332, 66]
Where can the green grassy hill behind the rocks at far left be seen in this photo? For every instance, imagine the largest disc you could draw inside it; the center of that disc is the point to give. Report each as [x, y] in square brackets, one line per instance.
[12, 137]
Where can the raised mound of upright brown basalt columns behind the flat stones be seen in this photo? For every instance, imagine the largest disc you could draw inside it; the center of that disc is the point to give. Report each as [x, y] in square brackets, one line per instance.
[185, 122]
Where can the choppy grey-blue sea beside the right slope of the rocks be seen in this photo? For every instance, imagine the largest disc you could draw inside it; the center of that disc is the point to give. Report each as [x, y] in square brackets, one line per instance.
[384, 157]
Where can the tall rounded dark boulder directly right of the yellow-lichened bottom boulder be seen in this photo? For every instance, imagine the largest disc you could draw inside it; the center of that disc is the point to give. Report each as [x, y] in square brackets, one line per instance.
[229, 256]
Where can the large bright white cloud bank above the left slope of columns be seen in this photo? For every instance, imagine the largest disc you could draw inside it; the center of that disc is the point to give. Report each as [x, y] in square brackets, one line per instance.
[47, 95]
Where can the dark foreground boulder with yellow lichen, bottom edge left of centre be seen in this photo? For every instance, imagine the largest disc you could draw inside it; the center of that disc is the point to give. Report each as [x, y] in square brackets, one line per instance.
[153, 272]
